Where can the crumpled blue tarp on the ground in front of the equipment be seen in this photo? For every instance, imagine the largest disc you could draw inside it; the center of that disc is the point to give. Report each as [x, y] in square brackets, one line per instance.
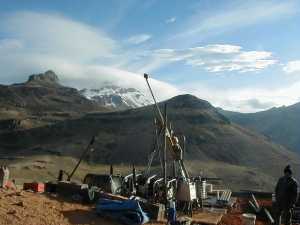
[128, 212]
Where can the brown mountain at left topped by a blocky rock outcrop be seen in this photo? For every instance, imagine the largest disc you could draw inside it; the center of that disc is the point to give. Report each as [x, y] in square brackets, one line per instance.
[39, 101]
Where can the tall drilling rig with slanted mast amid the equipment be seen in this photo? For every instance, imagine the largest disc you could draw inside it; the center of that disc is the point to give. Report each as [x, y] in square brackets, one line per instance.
[180, 188]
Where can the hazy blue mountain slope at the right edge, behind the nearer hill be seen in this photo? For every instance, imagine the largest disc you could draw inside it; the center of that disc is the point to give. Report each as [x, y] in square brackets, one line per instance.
[280, 125]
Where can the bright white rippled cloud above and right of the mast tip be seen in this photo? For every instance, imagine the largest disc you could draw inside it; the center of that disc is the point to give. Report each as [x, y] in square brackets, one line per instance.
[213, 58]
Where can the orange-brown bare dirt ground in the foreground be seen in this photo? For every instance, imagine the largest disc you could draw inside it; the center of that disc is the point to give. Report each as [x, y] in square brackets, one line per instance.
[23, 207]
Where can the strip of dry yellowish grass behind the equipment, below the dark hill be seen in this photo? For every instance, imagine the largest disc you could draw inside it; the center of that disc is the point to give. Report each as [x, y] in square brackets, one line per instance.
[46, 167]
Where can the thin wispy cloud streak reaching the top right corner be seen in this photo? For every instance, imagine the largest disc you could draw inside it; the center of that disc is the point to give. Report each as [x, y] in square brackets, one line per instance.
[202, 24]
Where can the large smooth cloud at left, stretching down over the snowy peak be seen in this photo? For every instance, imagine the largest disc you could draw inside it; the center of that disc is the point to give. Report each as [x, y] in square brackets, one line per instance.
[81, 55]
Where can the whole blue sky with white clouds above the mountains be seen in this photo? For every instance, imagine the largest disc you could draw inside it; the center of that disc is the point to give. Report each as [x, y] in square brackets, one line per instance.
[239, 55]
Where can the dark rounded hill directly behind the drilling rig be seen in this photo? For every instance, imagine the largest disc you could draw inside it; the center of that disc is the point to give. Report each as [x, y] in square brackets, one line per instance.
[214, 146]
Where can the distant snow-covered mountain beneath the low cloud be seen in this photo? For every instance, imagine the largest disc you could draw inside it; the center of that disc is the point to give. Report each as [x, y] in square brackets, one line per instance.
[117, 98]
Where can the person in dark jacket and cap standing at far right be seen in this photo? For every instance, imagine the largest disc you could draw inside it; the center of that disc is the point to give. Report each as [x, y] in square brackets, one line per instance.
[286, 194]
